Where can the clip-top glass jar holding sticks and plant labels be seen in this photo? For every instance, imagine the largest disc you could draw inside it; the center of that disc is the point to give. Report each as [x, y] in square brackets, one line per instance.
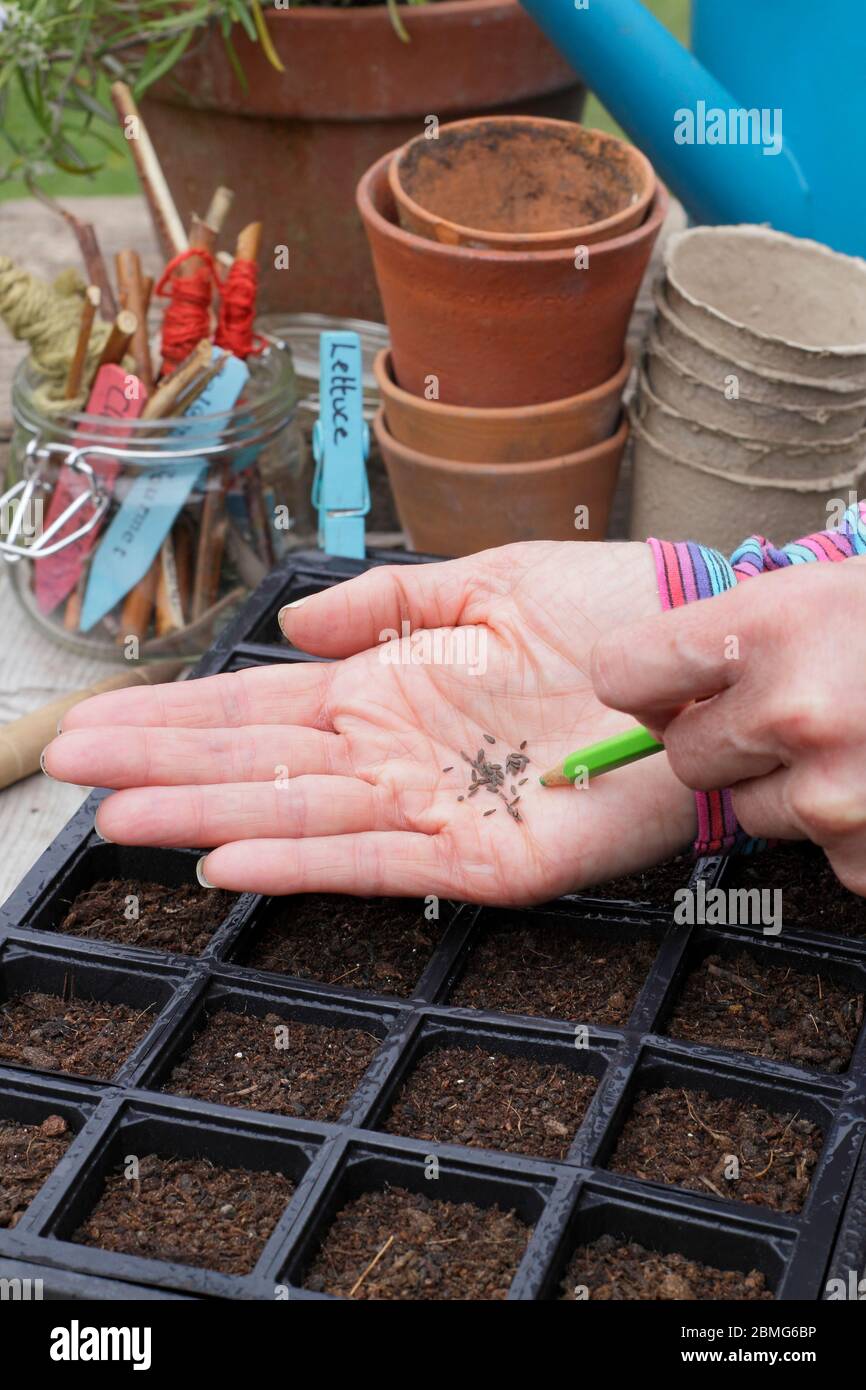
[216, 494]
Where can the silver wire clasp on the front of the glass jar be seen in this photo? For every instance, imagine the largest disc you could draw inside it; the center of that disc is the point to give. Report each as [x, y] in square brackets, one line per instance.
[23, 505]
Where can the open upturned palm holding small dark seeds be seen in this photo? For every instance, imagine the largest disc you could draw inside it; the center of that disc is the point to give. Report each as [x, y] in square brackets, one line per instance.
[332, 776]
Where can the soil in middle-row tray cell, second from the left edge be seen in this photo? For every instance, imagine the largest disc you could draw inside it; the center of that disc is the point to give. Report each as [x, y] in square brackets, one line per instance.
[275, 1064]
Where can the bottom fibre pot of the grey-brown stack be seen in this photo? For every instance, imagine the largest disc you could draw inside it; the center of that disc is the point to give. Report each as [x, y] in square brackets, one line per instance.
[692, 502]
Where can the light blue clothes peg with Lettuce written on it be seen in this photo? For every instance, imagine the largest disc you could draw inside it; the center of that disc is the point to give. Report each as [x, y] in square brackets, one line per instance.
[341, 445]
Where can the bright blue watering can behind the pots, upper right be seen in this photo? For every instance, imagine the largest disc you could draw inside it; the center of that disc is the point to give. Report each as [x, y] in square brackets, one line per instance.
[767, 122]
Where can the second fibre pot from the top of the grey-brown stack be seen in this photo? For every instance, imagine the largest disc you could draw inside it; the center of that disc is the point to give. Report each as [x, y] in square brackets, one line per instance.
[689, 350]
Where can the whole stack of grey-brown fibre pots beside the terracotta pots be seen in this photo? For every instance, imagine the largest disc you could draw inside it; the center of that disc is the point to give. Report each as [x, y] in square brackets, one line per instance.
[751, 414]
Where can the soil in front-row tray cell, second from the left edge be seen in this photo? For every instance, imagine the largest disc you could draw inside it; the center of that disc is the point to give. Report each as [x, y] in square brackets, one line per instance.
[190, 1211]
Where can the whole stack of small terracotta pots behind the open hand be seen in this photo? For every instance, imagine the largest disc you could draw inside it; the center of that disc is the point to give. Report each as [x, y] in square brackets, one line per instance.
[509, 252]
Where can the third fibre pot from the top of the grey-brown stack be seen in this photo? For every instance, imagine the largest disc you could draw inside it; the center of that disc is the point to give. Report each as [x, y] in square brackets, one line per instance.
[707, 404]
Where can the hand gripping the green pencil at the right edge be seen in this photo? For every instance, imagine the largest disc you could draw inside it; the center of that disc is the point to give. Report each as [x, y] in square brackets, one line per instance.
[778, 668]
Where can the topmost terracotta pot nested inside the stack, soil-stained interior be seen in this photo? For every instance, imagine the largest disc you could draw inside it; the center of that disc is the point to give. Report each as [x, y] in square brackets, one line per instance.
[516, 183]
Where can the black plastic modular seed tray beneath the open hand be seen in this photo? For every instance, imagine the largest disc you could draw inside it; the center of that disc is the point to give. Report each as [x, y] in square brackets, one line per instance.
[566, 1202]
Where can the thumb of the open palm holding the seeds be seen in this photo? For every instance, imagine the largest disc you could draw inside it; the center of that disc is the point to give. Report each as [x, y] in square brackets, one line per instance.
[354, 616]
